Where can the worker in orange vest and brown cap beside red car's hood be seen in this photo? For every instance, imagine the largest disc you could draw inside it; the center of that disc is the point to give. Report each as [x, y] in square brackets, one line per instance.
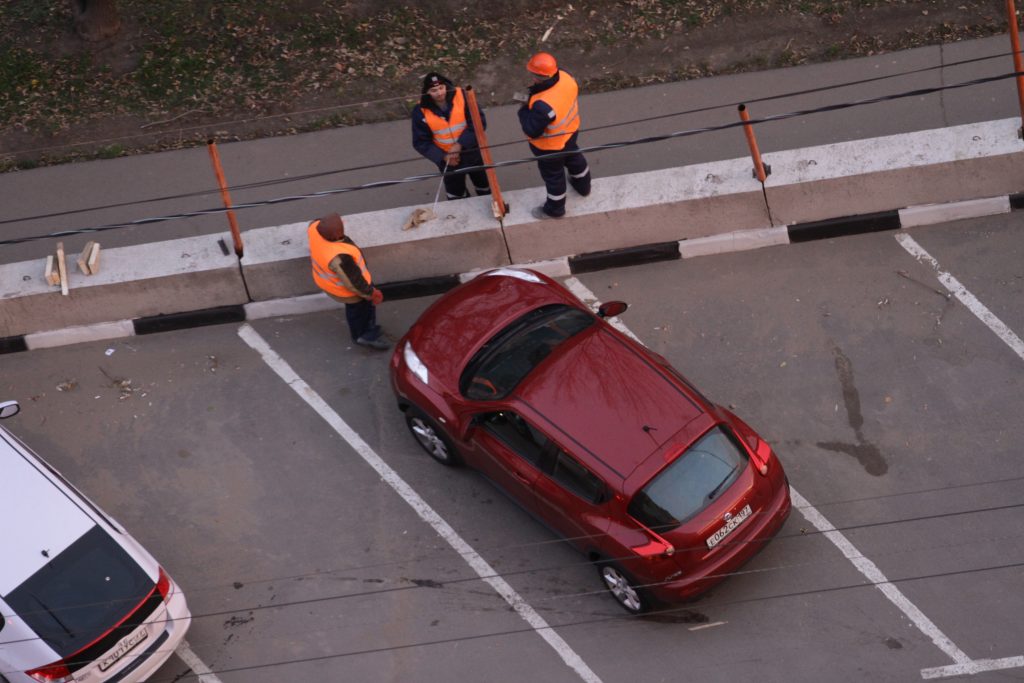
[340, 270]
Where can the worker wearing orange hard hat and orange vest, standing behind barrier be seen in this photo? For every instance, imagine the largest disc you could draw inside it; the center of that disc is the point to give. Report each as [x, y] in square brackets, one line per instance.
[551, 120]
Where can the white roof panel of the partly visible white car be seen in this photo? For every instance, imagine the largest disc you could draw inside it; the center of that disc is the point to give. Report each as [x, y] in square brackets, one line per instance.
[36, 516]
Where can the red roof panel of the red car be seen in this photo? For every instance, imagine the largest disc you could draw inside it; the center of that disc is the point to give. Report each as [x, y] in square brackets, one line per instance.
[614, 405]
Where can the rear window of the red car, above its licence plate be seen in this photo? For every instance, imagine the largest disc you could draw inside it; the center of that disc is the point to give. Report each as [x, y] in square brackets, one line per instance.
[691, 484]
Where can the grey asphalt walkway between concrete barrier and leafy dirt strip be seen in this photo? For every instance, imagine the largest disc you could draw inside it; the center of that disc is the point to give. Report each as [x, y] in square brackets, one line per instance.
[90, 194]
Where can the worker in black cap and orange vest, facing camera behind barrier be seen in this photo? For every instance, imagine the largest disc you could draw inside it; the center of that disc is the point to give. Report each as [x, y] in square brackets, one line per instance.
[443, 132]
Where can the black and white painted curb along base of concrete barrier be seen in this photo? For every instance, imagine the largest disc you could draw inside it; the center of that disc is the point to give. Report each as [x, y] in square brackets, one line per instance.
[589, 263]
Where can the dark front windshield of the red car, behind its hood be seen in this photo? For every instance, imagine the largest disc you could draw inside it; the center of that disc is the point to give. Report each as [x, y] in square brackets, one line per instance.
[501, 364]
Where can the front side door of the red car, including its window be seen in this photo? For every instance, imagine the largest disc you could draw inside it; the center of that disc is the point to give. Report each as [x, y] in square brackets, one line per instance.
[510, 451]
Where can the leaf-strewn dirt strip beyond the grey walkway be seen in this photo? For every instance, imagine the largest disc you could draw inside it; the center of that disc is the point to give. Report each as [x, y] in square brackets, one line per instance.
[608, 46]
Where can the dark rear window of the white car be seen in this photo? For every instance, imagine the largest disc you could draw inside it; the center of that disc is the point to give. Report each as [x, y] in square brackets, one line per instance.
[82, 593]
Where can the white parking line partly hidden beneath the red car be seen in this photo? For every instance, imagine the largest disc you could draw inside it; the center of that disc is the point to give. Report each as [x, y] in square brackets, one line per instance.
[963, 665]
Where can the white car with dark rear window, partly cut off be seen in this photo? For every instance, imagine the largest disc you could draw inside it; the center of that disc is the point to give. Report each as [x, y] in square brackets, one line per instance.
[80, 600]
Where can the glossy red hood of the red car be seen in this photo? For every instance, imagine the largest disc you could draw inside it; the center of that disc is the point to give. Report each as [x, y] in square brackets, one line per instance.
[453, 328]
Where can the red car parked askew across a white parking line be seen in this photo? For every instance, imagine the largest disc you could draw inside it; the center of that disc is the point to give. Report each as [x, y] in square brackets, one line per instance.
[593, 434]
